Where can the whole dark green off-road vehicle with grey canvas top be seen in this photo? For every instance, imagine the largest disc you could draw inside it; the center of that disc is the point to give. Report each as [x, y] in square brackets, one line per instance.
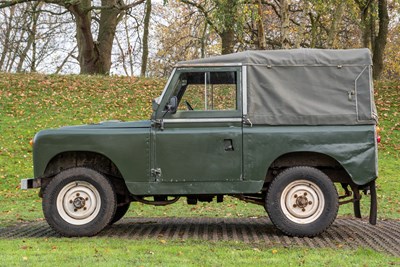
[274, 128]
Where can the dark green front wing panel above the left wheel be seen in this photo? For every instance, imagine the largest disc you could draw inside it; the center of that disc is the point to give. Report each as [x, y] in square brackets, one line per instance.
[127, 148]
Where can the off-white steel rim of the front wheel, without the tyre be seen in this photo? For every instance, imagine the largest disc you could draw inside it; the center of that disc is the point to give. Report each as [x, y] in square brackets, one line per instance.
[78, 203]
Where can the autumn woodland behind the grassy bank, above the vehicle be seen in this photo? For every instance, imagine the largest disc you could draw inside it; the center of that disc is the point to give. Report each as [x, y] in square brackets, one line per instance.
[147, 37]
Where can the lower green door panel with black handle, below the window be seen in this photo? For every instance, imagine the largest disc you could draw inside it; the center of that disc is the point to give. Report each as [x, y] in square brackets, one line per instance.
[199, 152]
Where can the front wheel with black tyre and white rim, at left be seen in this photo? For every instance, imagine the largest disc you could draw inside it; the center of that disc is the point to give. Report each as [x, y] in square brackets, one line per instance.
[79, 202]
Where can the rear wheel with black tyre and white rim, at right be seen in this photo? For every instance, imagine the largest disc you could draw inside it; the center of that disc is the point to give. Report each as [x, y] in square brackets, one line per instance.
[302, 201]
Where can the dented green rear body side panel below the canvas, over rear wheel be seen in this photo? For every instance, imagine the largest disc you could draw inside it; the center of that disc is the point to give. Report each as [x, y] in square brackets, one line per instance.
[354, 147]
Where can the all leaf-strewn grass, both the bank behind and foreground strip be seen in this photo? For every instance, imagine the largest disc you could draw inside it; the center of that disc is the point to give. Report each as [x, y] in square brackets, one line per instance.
[29, 103]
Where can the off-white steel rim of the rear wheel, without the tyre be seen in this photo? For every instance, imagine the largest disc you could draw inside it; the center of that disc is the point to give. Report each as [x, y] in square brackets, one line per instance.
[302, 202]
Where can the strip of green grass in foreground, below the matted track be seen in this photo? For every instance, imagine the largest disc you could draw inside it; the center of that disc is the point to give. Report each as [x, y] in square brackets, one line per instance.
[124, 252]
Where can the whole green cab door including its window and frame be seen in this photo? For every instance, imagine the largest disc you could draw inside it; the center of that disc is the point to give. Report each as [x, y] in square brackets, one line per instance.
[202, 142]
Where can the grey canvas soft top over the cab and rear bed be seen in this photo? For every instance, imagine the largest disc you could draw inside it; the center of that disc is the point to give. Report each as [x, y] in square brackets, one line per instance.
[304, 86]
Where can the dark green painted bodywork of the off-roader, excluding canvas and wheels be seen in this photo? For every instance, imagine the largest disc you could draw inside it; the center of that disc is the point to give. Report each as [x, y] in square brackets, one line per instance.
[194, 154]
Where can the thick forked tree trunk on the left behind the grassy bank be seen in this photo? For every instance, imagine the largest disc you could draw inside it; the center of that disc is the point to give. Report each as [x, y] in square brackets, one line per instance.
[94, 48]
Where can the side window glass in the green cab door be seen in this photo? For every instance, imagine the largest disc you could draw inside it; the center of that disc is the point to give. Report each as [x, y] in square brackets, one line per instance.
[207, 91]
